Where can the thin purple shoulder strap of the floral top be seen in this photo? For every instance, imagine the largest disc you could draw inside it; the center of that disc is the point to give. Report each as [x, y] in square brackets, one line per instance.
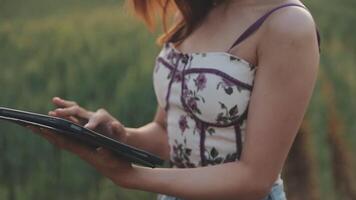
[255, 26]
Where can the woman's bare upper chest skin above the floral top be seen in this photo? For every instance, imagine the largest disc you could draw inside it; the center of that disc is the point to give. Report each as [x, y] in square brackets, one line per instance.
[220, 29]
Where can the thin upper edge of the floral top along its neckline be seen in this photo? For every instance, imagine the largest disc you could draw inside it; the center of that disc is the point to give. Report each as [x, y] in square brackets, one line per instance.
[237, 58]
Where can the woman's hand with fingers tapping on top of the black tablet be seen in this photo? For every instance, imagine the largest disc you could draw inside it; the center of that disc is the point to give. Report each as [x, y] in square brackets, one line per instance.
[100, 121]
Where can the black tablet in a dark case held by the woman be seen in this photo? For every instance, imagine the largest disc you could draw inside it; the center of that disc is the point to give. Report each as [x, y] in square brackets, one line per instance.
[89, 137]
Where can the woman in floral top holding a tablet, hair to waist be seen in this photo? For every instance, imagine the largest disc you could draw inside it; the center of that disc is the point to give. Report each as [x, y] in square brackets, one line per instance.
[233, 82]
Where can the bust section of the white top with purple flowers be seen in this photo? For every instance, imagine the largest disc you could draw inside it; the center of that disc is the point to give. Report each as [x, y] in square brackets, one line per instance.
[213, 87]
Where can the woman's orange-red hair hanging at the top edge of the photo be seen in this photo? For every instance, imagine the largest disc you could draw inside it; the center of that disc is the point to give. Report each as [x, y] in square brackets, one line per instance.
[192, 12]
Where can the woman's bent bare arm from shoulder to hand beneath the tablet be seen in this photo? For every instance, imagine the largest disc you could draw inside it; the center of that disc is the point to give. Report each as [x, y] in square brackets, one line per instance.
[285, 78]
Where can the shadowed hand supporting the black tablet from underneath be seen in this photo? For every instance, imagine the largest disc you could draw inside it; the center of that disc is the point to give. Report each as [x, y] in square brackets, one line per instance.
[119, 171]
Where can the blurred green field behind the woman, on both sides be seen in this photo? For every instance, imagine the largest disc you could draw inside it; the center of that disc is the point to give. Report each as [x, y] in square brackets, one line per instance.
[95, 53]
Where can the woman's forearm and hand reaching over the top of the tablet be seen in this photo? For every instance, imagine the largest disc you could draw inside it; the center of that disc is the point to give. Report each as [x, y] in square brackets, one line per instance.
[152, 137]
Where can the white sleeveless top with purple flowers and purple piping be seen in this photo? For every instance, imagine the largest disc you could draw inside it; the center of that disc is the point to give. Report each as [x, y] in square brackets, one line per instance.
[206, 97]
